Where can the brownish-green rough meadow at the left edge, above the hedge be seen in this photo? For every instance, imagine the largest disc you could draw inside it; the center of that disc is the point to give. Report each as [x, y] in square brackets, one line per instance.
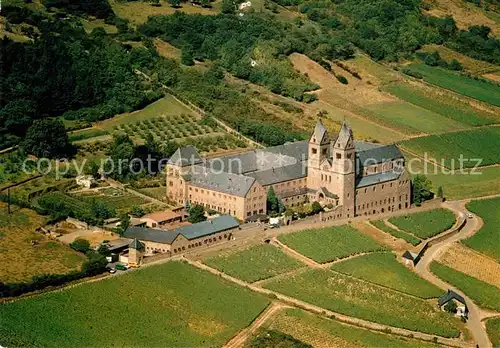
[19, 259]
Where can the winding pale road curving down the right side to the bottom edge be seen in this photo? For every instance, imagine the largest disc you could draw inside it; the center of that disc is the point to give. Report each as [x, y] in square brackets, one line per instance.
[472, 226]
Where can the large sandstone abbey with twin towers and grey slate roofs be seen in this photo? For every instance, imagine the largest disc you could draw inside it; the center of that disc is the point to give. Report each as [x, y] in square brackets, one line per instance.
[352, 177]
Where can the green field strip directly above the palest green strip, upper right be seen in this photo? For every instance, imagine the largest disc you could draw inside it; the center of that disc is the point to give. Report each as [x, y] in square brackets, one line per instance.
[447, 107]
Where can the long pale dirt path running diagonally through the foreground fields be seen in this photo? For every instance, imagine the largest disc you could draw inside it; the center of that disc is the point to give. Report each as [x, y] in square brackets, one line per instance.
[322, 311]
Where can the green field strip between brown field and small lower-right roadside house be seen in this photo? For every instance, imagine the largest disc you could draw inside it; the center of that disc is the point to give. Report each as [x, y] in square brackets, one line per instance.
[483, 294]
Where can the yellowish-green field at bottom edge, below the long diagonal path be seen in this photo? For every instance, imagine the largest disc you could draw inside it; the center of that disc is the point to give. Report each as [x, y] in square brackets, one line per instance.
[321, 332]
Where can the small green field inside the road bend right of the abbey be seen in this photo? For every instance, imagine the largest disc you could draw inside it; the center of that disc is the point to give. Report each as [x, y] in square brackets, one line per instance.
[425, 224]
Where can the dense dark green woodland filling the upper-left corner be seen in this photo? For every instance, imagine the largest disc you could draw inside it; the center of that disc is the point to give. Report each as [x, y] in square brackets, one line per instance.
[64, 71]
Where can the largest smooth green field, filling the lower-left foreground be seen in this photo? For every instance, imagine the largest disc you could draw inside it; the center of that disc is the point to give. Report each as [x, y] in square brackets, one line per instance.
[173, 304]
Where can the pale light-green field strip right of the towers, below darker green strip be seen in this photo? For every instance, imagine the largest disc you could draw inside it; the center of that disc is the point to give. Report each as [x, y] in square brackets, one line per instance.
[412, 118]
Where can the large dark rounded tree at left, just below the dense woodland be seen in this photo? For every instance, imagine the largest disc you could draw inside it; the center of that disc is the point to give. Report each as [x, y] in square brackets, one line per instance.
[48, 138]
